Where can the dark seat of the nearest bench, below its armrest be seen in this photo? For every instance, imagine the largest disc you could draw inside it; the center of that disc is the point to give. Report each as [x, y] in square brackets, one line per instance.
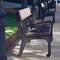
[43, 32]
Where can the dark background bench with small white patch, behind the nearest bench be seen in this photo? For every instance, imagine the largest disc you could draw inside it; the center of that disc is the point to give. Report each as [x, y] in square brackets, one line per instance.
[47, 8]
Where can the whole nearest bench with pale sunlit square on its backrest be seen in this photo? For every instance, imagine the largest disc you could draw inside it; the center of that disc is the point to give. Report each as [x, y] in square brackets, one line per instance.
[29, 30]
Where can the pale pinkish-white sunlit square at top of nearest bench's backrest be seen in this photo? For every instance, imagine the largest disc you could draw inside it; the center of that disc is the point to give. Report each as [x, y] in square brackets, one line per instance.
[24, 13]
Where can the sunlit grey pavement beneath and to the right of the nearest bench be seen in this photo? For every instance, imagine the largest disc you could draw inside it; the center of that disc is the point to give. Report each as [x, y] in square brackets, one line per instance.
[37, 49]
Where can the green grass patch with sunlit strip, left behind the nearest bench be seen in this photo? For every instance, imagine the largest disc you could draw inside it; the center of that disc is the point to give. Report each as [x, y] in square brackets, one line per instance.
[11, 25]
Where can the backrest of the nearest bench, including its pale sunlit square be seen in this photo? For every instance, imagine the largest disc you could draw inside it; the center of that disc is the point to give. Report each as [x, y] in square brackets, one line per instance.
[23, 20]
